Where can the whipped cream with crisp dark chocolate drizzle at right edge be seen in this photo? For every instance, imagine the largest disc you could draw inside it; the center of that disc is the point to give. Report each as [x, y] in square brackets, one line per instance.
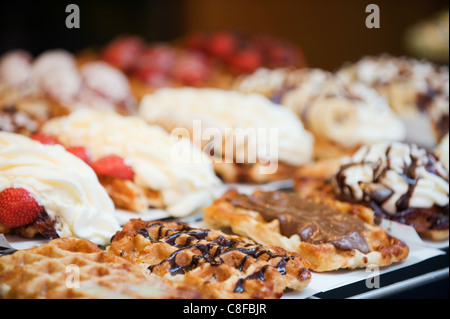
[396, 176]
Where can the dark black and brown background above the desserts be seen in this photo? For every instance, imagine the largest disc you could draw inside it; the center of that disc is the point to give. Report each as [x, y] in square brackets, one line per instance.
[330, 32]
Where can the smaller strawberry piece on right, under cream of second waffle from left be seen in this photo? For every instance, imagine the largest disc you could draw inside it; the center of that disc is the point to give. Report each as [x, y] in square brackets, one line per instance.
[113, 166]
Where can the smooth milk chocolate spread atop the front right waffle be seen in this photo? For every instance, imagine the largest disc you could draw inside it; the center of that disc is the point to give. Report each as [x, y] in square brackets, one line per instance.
[314, 223]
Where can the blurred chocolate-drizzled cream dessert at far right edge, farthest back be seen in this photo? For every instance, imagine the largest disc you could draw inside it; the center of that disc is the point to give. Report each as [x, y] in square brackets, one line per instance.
[413, 88]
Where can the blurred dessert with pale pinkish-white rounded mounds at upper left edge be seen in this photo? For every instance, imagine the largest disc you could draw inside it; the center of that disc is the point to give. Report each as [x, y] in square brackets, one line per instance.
[53, 84]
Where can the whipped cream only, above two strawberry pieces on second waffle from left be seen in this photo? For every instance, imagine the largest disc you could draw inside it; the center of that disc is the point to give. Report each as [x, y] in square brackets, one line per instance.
[176, 168]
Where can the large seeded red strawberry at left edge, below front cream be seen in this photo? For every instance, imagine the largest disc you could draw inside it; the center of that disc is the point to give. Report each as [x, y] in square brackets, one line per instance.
[18, 207]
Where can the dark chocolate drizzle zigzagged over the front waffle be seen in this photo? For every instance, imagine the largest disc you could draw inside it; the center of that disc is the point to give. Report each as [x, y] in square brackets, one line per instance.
[211, 251]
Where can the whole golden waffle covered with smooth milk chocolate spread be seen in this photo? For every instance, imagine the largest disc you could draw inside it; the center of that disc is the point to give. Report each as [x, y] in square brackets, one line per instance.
[328, 237]
